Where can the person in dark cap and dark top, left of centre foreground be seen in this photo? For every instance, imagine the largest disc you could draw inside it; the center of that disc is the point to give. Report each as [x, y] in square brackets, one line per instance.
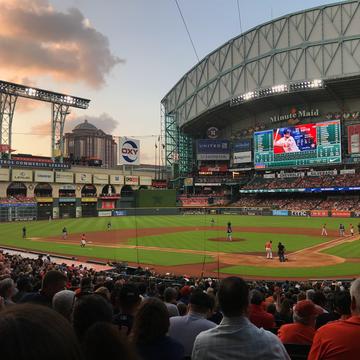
[129, 301]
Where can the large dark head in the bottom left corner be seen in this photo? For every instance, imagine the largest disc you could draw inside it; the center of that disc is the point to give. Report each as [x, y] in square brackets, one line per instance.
[33, 332]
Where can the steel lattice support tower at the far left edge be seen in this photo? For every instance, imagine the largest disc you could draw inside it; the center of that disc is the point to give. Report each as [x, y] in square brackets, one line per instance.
[7, 107]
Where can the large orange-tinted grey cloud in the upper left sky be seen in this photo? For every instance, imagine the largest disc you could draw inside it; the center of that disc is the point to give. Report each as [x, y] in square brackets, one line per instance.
[37, 40]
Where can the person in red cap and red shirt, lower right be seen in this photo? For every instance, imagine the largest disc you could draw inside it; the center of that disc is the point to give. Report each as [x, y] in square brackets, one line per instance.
[302, 331]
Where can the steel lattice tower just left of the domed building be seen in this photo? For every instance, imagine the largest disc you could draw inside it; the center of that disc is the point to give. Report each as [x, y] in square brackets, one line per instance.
[58, 115]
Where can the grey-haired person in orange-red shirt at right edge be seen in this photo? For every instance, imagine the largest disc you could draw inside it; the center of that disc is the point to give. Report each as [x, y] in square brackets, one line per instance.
[339, 340]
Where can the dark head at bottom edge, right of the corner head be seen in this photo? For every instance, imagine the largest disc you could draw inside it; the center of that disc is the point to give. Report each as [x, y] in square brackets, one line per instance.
[104, 341]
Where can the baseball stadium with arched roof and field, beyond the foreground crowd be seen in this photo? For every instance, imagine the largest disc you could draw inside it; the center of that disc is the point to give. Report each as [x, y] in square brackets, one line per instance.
[261, 150]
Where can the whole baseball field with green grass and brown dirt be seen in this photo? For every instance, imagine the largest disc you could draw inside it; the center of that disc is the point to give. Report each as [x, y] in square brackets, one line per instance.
[194, 245]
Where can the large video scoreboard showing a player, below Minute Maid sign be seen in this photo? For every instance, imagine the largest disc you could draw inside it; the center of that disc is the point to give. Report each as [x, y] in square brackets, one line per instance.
[299, 145]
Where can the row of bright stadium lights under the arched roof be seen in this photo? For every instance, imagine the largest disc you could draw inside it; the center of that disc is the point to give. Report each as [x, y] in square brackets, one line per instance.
[277, 90]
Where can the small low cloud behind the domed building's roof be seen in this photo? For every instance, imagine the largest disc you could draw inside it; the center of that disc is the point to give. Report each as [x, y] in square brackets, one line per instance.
[104, 122]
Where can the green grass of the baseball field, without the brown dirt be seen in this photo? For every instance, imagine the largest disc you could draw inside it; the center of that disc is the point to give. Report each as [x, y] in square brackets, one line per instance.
[10, 235]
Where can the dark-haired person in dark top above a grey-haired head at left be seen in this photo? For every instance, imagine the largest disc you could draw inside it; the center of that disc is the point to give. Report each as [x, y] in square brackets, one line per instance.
[53, 282]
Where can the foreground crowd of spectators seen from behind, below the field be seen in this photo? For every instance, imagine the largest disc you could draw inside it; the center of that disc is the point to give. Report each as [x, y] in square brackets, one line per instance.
[50, 311]
